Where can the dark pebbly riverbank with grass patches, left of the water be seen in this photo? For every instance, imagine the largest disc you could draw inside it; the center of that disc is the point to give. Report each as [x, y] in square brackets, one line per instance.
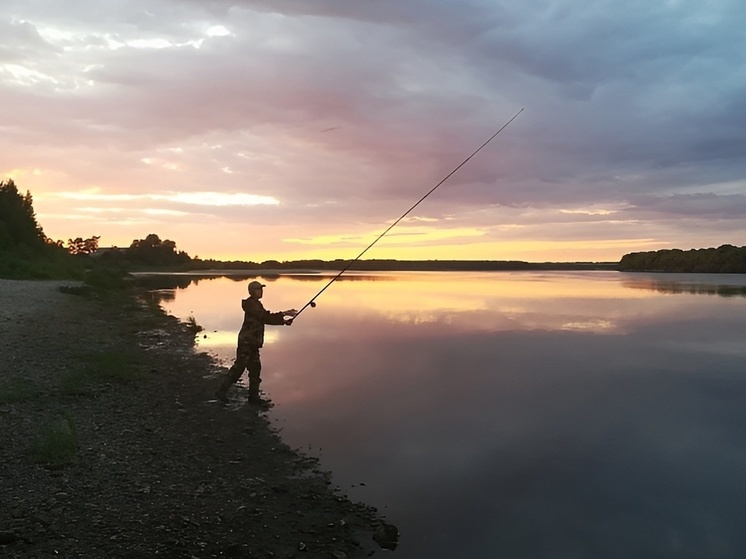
[157, 467]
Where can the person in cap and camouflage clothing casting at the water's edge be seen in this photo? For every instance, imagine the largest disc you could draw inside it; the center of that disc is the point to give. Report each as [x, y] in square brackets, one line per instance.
[250, 339]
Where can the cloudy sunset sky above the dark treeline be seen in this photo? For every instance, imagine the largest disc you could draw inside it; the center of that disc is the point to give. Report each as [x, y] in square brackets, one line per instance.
[292, 129]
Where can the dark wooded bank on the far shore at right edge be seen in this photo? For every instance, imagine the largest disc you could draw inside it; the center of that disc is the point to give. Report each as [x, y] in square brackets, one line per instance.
[726, 259]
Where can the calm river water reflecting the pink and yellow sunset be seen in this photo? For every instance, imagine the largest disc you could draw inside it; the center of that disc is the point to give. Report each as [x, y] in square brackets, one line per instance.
[517, 415]
